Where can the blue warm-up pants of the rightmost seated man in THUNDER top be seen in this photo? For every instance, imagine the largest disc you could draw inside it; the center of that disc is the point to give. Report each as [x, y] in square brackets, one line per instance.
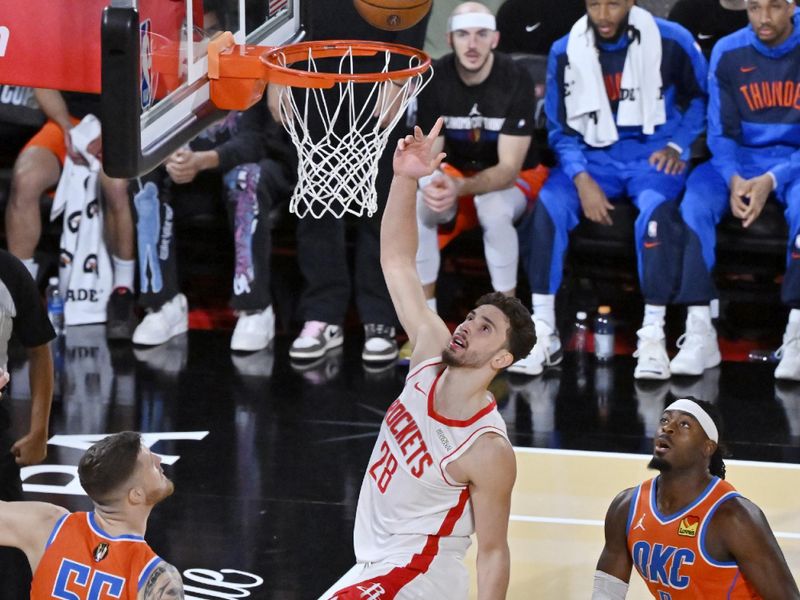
[706, 201]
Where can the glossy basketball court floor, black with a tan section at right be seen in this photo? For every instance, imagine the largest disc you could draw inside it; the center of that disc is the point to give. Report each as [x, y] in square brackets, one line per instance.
[268, 457]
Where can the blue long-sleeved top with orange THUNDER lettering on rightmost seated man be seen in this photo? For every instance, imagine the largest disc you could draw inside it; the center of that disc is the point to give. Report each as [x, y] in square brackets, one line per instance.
[754, 106]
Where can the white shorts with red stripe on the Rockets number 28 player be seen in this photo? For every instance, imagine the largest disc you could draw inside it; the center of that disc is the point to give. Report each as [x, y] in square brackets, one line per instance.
[445, 579]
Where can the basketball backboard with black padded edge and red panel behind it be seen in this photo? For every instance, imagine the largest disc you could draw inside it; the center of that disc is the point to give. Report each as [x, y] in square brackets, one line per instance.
[148, 56]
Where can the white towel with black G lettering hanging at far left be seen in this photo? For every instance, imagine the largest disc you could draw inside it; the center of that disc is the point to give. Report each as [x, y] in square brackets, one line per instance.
[85, 276]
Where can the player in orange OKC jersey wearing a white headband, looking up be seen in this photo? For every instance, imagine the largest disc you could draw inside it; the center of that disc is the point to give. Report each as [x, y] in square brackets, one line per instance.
[688, 532]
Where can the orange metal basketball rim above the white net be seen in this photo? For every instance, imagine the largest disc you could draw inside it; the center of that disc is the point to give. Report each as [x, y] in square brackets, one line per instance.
[294, 53]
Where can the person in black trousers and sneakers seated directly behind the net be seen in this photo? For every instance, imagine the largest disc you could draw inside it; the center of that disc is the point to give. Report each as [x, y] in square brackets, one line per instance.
[321, 243]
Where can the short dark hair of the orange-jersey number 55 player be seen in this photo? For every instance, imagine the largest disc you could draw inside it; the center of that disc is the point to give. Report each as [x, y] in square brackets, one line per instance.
[109, 463]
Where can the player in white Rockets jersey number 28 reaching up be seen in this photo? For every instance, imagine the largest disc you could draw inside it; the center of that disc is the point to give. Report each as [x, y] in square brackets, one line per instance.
[442, 467]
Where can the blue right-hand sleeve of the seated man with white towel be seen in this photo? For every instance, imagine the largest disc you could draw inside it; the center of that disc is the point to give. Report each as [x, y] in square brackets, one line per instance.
[692, 88]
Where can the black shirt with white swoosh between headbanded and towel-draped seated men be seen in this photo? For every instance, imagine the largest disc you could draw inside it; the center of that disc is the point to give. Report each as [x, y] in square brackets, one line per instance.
[533, 26]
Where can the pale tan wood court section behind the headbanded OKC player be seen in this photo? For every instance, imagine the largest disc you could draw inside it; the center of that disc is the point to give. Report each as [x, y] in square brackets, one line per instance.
[559, 504]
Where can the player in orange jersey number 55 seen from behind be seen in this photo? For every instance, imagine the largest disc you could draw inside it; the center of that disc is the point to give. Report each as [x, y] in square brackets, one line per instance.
[99, 554]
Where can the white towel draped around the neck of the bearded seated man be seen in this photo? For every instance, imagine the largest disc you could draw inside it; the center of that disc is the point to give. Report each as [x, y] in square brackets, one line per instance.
[588, 109]
